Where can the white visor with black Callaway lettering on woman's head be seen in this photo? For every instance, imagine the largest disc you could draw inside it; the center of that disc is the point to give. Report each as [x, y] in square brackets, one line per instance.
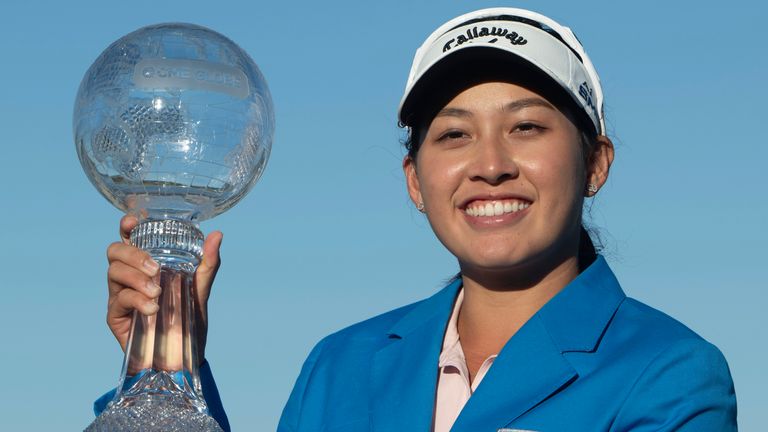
[532, 37]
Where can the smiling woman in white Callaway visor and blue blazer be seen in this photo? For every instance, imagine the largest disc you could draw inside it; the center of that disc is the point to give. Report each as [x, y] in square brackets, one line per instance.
[507, 138]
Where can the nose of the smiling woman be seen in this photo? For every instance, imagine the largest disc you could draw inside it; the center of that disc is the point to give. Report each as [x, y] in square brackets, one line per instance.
[493, 161]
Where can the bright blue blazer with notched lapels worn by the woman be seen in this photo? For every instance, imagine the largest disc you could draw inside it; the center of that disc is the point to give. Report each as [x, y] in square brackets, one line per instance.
[590, 360]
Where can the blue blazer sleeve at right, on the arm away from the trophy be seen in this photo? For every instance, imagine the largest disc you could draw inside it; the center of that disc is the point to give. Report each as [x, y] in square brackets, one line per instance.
[686, 388]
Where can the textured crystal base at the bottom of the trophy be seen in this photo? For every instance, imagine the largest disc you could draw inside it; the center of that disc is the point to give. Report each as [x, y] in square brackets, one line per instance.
[146, 415]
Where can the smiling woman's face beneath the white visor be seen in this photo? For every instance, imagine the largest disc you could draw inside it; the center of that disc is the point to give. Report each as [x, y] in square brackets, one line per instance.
[502, 177]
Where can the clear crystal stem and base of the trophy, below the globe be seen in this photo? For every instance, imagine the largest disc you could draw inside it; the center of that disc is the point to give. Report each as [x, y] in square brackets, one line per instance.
[159, 387]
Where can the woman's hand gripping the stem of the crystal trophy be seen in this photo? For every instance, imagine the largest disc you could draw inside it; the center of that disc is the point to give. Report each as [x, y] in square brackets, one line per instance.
[132, 280]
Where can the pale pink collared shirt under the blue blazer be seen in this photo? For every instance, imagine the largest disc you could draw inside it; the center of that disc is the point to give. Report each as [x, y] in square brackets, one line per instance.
[453, 388]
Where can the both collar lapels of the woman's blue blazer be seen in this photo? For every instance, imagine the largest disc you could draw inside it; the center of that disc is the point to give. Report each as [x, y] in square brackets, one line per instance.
[530, 367]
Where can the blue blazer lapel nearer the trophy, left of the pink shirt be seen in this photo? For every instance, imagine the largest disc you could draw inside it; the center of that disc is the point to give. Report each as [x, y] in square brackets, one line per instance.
[404, 372]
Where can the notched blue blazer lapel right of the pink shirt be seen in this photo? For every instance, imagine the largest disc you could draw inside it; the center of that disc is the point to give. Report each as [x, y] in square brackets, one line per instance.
[532, 365]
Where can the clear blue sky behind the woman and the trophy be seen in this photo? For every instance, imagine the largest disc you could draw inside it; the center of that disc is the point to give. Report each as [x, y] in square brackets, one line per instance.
[328, 237]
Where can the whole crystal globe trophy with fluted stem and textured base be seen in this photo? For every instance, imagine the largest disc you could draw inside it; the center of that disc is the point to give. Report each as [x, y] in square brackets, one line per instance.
[172, 123]
